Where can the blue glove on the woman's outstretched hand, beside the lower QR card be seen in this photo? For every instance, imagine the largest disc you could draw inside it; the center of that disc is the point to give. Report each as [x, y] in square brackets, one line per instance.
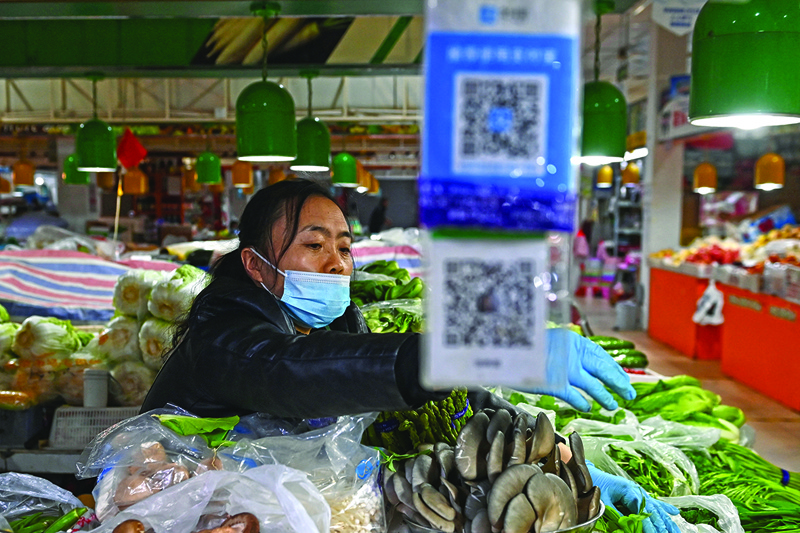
[589, 366]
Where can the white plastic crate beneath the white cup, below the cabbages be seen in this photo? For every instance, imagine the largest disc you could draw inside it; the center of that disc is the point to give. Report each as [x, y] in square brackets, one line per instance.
[74, 427]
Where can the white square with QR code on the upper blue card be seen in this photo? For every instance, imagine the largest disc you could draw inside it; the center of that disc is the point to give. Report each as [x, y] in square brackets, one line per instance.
[500, 123]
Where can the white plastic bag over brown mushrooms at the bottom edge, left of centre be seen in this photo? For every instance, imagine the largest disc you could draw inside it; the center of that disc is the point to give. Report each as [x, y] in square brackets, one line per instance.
[281, 498]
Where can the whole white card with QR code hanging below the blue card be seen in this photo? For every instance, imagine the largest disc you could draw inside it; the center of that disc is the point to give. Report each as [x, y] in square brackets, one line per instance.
[485, 313]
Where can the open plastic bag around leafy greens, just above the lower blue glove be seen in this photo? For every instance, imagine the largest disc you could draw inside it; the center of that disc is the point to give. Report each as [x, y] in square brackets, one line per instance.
[675, 462]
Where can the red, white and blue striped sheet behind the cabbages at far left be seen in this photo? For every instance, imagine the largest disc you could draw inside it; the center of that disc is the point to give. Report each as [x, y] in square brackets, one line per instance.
[68, 285]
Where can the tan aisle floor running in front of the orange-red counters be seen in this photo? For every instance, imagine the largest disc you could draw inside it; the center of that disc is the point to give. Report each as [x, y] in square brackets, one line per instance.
[777, 427]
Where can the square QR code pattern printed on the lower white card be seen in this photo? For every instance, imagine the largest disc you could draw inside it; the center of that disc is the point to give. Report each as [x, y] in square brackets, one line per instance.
[489, 303]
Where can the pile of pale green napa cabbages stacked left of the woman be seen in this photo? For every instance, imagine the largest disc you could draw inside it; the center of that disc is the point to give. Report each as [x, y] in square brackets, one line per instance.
[44, 358]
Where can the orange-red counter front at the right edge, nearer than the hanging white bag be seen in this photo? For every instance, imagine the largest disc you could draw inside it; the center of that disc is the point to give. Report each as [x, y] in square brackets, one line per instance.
[760, 339]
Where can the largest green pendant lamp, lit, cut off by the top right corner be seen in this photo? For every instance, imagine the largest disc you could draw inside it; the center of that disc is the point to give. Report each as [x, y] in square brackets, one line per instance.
[746, 64]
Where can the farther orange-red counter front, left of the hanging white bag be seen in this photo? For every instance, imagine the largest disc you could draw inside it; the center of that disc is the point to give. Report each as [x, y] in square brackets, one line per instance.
[673, 301]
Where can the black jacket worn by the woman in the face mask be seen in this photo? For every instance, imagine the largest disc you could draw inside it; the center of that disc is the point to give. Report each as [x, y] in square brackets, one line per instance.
[242, 354]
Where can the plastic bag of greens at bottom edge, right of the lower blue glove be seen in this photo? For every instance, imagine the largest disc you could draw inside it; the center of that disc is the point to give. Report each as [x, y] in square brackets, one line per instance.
[717, 509]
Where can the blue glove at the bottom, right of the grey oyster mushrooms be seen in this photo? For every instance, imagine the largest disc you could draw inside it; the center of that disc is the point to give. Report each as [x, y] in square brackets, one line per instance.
[615, 489]
